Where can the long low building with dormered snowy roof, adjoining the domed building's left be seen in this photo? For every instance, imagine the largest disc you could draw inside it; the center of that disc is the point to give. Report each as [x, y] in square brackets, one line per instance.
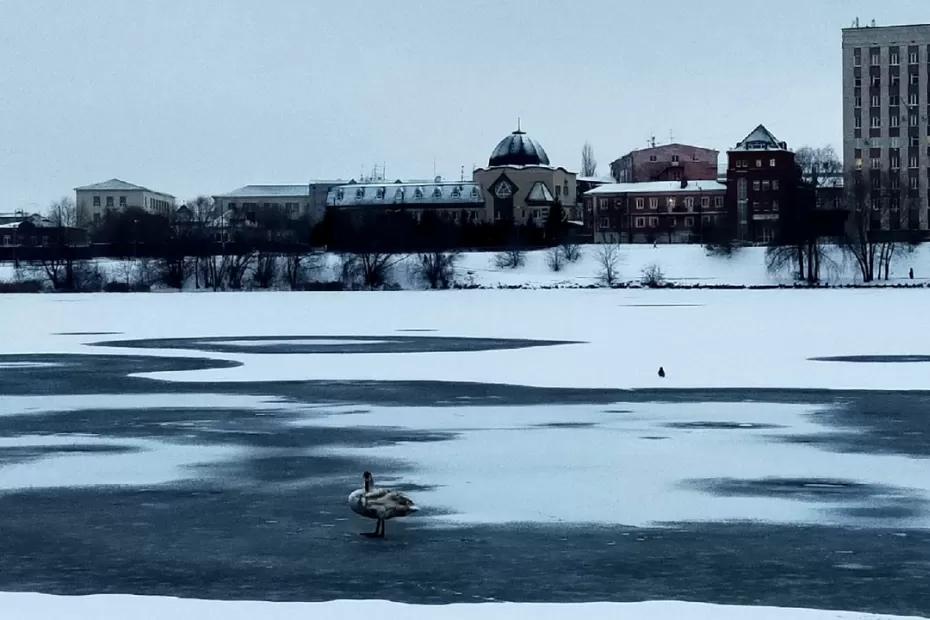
[454, 201]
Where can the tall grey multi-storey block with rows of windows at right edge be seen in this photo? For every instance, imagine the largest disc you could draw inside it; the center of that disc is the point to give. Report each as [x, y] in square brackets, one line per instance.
[886, 103]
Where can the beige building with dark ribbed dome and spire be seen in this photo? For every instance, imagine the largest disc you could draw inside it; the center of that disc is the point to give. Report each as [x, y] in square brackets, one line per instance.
[519, 184]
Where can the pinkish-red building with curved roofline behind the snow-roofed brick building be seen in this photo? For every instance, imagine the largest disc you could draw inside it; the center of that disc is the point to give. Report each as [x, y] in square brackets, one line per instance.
[669, 162]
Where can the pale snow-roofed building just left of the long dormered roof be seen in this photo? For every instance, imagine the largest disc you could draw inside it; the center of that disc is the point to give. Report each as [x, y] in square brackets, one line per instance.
[295, 201]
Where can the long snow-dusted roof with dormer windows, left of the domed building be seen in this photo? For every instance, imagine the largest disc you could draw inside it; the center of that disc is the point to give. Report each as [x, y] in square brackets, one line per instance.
[386, 194]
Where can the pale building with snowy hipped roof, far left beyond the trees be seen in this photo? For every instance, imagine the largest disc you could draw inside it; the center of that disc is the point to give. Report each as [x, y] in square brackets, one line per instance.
[93, 201]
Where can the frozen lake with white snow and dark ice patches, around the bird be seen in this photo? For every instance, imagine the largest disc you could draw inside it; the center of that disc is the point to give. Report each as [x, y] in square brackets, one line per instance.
[202, 445]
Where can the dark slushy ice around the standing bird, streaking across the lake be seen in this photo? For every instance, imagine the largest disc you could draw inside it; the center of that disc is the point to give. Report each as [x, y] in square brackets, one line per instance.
[273, 525]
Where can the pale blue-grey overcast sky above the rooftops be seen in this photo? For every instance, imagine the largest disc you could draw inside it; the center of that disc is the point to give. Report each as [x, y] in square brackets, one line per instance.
[200, 96]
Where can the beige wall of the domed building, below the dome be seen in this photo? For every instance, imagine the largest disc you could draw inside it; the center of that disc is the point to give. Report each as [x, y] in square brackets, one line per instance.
[560, 182]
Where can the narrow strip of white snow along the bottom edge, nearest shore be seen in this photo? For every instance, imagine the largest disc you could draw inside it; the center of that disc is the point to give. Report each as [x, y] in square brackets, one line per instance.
[27, 606]
